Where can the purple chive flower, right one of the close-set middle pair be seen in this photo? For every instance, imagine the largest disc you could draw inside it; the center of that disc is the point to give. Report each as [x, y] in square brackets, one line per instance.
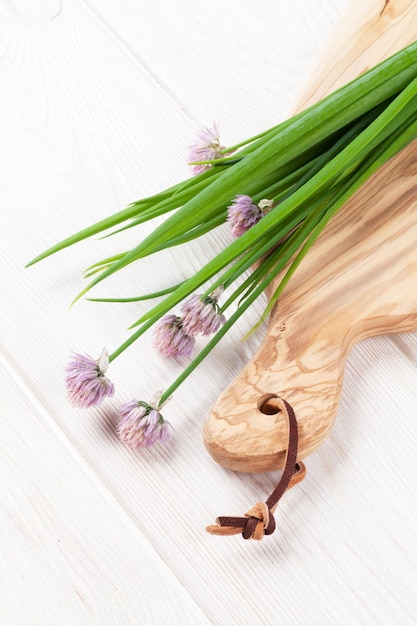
[202, 316]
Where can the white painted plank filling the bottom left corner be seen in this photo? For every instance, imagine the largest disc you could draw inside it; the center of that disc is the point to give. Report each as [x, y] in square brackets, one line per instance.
[69, 554]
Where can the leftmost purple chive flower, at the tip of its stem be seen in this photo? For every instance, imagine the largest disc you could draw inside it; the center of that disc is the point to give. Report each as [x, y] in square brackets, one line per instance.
[85, 380]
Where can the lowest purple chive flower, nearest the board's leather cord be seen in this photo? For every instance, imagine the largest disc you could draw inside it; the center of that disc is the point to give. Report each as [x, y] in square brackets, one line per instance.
[141, 425]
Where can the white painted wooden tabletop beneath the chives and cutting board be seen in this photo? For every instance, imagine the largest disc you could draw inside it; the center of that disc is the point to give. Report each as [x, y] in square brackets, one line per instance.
[98, 102]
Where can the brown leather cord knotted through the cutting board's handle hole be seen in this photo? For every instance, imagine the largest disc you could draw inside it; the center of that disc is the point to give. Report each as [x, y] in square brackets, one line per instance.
[259, 520]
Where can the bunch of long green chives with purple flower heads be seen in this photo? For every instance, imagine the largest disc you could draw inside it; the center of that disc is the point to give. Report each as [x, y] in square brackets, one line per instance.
[276, 191]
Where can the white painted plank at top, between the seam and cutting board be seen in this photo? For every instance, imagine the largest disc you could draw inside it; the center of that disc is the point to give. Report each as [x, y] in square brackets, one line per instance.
[234, 61]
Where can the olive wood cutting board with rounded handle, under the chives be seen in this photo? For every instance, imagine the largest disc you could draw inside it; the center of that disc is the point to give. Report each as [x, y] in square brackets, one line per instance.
[358, 280]
